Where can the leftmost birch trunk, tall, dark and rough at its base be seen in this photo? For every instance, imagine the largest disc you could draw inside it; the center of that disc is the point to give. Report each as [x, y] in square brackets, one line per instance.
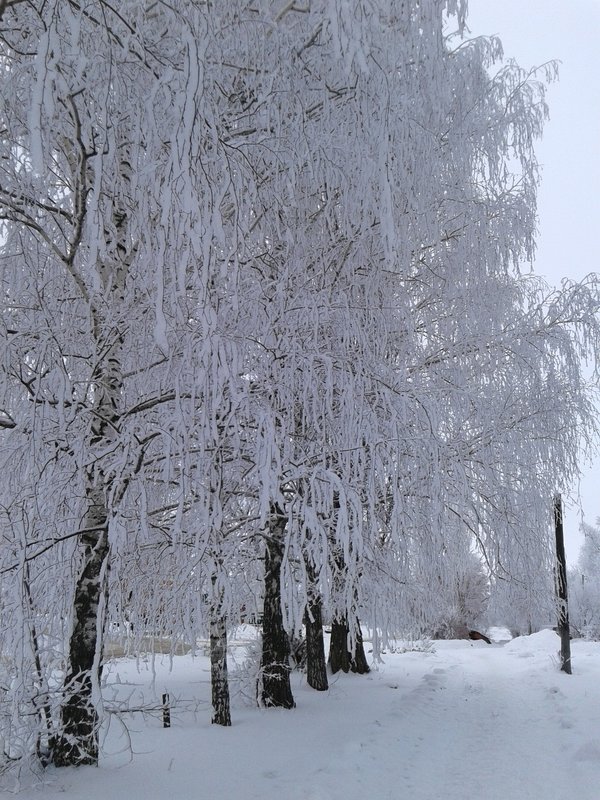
[77, 740]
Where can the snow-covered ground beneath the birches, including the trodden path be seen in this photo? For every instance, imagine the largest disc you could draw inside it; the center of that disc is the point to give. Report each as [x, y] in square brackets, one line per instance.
[462, 720]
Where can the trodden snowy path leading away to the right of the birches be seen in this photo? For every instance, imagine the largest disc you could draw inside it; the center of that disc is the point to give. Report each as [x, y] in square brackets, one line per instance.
[465, 729]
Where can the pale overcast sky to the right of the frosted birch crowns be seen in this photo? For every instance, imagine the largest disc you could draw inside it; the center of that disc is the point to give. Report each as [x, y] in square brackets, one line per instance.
[533, 32]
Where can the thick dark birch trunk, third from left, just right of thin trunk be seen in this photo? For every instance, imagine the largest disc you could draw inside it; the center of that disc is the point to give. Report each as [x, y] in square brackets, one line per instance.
[275, 691]
